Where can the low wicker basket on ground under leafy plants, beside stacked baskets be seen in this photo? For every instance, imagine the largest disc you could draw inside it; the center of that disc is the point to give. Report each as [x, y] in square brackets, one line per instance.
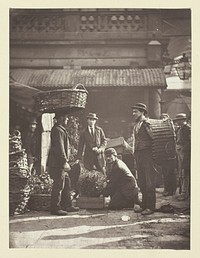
[39, 202]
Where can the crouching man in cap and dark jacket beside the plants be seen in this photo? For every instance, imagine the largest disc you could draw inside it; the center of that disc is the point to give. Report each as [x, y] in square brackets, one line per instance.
[121, 184]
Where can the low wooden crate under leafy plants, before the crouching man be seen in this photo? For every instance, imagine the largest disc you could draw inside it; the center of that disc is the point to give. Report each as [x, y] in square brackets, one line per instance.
[90, 202]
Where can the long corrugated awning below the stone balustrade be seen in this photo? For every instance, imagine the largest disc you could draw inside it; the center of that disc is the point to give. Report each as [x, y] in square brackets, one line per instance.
[64, 78]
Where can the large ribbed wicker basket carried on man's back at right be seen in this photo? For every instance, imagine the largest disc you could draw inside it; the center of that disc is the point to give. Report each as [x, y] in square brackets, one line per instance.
[163, 140]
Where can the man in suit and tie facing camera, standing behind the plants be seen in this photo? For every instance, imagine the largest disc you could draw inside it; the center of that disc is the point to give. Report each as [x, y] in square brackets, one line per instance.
[92, 144]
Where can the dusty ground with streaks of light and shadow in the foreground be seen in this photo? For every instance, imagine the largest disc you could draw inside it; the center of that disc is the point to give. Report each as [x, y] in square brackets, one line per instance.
[103, 229]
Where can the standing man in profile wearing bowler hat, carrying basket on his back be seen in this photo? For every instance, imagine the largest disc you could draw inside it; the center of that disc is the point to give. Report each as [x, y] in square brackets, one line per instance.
[142, 136]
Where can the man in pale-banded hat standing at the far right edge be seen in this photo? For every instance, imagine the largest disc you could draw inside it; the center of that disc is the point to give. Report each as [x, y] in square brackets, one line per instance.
[183, 148]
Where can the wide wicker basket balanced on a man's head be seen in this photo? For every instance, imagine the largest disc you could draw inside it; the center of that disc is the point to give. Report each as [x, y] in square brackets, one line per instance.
[51, 101]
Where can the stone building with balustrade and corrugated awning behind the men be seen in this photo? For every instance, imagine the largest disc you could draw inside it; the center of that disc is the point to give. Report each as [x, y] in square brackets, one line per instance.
[115, 53]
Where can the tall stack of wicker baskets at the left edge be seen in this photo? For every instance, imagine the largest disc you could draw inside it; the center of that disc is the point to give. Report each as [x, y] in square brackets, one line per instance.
[19, 190]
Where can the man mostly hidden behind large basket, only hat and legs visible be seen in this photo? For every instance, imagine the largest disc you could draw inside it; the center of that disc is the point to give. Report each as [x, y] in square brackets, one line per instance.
[168, 170]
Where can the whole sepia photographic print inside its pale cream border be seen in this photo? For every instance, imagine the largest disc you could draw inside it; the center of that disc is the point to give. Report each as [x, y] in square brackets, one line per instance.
[99, 125]
